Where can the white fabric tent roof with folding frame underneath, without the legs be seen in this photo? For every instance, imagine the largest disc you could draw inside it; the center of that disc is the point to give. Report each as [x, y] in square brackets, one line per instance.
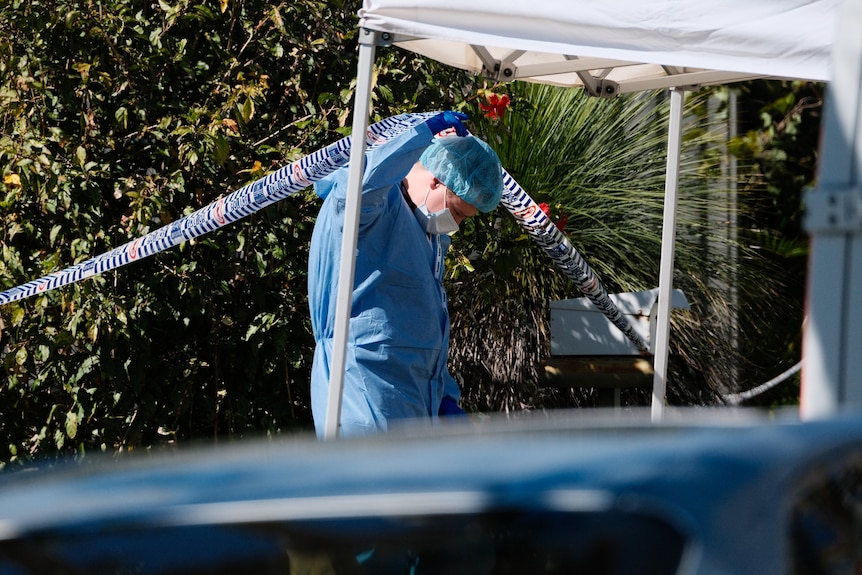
[619, 47]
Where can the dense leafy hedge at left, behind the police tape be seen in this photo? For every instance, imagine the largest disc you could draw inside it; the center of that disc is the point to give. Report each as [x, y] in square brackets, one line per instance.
[119, 117]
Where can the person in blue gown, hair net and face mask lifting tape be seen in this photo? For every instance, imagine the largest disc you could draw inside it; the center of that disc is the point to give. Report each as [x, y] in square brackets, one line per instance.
[416, 190]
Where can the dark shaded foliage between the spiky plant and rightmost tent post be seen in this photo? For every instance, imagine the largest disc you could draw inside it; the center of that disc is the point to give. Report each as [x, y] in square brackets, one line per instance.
[779, 133]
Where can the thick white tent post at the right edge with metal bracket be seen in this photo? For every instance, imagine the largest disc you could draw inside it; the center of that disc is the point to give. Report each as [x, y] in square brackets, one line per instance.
[832, 340]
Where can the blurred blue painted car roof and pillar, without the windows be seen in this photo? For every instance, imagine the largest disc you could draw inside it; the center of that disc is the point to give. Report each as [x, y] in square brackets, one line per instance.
[726, 481]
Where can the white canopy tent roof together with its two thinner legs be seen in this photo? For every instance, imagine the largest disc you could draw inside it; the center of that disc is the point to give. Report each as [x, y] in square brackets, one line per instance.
[606, 49]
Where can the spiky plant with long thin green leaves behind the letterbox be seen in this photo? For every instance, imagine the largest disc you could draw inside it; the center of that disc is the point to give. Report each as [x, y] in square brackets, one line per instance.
[601, 165]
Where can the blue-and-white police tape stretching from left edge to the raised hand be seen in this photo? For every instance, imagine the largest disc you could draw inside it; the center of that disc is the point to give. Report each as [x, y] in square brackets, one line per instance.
[247, 200]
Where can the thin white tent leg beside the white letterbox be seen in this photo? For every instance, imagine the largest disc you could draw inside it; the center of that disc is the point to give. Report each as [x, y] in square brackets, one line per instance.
[668, 241]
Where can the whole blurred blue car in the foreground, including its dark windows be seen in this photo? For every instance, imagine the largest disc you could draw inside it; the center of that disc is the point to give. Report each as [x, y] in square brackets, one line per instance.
[705, 493]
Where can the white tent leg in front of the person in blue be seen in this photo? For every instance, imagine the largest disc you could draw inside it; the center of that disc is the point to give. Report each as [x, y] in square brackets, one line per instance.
[349, 241]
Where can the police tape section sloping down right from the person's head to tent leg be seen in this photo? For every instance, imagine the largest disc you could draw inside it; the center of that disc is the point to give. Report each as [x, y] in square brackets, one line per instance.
[545, 233]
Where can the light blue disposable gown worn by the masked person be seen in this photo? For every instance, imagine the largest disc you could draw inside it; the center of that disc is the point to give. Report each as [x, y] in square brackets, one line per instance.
[398, 339]
